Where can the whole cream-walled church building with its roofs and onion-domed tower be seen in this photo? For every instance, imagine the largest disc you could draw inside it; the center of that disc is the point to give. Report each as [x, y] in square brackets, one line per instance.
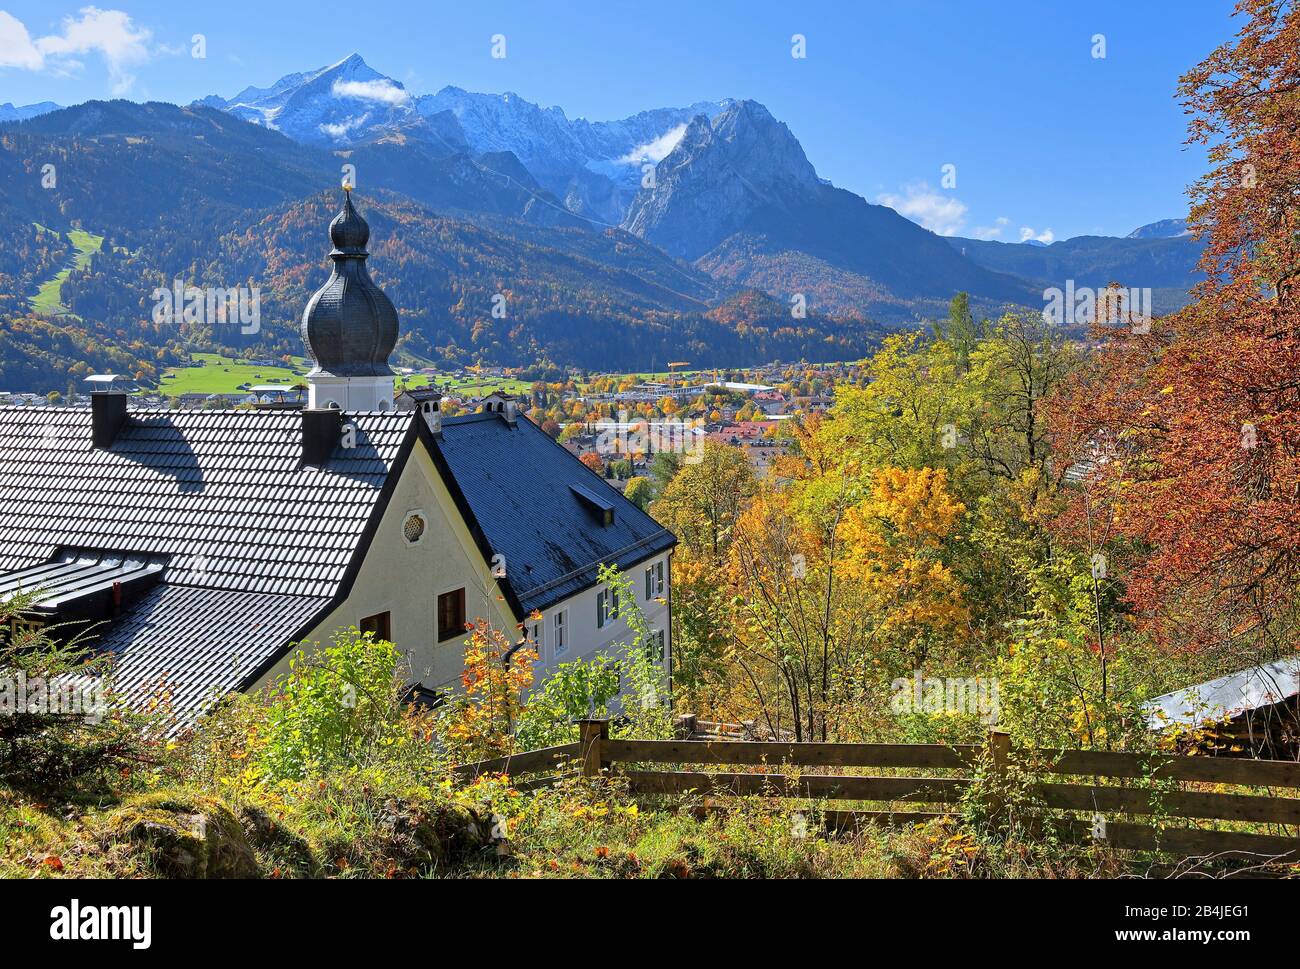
[200, 548]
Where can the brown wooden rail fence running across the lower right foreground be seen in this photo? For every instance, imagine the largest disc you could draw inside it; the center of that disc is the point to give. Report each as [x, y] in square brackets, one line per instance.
[1172, 786]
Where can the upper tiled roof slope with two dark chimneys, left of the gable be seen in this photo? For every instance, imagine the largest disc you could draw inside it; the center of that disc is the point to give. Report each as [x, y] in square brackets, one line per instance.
[220, 494]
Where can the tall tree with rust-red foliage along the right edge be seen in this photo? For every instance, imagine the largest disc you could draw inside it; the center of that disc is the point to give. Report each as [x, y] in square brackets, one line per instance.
[1197, 423]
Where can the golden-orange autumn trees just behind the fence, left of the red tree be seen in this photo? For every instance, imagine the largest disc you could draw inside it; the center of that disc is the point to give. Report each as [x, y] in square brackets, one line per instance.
[835, 592]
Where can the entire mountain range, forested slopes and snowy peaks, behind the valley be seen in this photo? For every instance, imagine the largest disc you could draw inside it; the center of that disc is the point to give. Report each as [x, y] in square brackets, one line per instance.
[647, 224]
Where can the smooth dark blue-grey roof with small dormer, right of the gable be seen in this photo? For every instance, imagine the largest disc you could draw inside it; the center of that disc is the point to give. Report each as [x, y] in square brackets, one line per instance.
[522, 491]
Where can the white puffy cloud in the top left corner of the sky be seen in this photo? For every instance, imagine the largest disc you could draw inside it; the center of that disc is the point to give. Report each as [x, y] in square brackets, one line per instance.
[111, 34]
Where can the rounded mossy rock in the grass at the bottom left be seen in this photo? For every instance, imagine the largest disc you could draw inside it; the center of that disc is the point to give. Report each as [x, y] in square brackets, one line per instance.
[183, 836]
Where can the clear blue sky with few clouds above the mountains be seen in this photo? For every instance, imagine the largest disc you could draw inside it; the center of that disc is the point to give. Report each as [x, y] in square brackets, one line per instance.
[1046, 139]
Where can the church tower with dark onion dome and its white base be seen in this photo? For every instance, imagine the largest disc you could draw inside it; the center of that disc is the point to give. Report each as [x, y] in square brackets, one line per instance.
[350, 327]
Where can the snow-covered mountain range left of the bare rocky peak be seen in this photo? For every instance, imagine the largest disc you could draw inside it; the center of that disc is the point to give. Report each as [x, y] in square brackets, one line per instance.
[595, 168]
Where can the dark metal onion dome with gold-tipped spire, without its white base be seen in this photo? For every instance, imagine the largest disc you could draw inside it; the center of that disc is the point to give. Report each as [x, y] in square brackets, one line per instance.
[350, 327]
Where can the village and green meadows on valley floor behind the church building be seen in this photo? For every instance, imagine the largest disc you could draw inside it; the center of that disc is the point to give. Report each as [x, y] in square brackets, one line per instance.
[616, 422]
